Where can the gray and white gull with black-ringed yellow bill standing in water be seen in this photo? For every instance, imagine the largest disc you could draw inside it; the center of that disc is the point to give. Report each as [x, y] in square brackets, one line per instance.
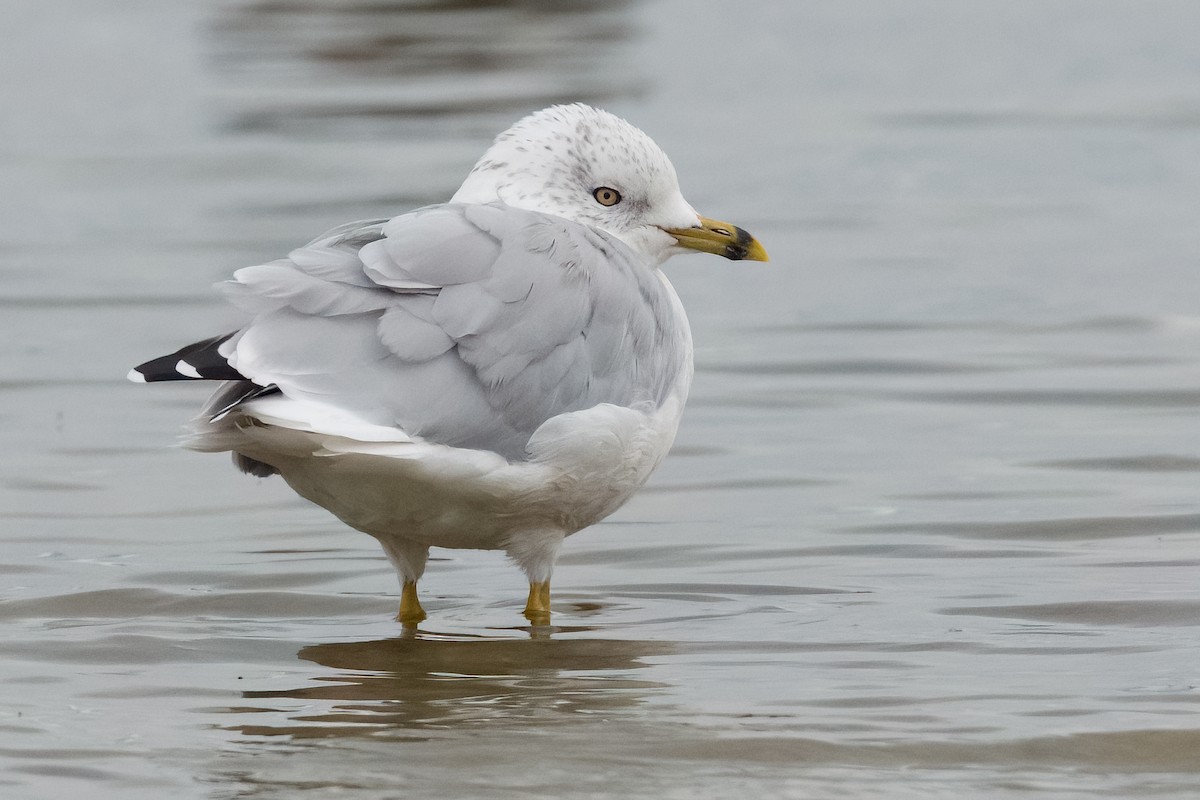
[497, 372]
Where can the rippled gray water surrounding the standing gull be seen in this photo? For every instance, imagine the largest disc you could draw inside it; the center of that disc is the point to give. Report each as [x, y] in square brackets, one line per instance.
[932, 528]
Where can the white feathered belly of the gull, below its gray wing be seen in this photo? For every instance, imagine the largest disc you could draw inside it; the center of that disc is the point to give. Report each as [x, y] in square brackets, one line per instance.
[585, 466]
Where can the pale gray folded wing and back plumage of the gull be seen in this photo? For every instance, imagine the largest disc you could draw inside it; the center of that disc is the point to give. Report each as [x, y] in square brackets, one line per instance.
[467, 326]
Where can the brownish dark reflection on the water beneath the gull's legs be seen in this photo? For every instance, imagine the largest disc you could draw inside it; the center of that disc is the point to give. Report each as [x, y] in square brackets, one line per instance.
[429, 682]
